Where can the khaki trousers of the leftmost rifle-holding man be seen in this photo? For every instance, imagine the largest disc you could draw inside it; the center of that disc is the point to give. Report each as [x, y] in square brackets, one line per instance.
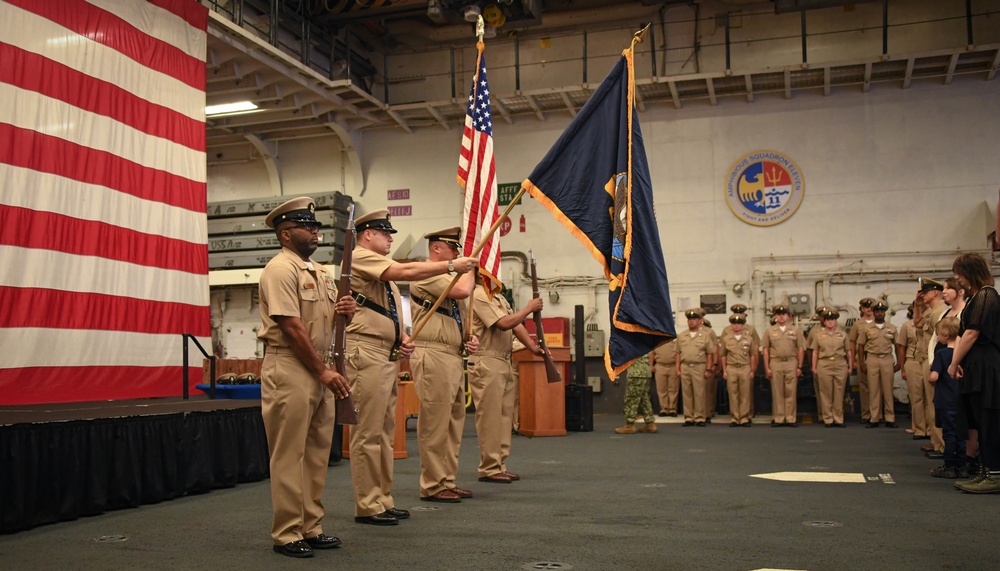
[298, 416]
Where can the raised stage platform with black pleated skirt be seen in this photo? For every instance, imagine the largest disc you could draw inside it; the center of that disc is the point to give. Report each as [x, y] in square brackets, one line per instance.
[62, 461]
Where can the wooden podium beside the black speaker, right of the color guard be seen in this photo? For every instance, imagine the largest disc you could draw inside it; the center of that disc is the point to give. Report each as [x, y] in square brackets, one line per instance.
[542, 404]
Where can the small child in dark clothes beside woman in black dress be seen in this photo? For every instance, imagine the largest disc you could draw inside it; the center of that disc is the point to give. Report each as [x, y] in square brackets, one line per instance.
[946, 401]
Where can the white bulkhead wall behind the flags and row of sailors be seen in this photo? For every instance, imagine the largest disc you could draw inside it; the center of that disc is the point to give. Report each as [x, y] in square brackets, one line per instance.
[896, 181]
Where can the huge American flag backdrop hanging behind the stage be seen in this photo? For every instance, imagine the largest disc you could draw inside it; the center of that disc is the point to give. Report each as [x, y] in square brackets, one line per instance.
[103, 236]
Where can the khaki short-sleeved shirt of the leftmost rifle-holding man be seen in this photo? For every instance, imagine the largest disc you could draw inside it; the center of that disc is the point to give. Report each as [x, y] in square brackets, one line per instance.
[289, 288]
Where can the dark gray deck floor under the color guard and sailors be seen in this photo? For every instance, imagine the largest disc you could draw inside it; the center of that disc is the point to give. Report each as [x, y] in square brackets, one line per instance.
[679, 499]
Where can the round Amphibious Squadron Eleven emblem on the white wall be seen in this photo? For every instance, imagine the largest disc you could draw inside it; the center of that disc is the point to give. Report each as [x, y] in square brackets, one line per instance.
[764, 188]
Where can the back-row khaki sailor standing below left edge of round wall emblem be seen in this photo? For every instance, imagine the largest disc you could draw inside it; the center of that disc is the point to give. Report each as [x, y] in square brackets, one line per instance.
[738, 355]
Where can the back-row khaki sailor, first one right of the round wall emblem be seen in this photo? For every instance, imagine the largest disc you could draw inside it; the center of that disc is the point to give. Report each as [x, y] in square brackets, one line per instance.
[831, 363]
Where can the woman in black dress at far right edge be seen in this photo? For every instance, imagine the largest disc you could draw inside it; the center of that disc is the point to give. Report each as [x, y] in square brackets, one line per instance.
[976, 364]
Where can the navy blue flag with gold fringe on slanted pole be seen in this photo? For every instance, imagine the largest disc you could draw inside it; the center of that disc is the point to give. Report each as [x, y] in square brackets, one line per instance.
[595, 181]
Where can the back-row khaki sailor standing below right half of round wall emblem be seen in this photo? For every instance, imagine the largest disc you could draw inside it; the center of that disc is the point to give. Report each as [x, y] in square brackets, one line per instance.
[783, 353]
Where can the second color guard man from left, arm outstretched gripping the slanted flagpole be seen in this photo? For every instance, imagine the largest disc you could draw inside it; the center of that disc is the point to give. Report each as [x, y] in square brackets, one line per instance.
[375, 340]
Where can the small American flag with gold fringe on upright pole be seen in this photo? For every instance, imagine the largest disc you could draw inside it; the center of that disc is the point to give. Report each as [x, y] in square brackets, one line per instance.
[477, 175]
